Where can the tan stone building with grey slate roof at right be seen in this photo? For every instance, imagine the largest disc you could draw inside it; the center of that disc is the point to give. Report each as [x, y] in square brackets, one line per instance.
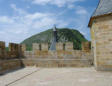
[101, 33]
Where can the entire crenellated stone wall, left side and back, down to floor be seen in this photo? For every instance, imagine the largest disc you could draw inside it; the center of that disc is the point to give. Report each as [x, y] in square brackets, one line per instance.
[64, 56]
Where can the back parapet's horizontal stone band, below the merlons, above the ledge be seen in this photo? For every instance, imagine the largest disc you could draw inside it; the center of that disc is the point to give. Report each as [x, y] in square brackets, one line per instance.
[60, 54]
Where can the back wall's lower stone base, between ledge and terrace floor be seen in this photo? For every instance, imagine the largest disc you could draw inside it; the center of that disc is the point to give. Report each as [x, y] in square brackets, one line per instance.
[58, 63]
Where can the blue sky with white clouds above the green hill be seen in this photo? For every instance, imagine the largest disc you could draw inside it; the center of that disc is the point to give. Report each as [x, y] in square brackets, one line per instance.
[20, 19]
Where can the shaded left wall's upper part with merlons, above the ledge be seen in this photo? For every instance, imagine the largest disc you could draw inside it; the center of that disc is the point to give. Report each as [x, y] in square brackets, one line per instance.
[14, 51]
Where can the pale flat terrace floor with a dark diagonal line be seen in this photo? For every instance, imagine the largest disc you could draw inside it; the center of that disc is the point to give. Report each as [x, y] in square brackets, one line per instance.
[32, 76]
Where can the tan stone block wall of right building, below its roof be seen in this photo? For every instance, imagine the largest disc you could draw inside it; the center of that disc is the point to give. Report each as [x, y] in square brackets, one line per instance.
[101, 34]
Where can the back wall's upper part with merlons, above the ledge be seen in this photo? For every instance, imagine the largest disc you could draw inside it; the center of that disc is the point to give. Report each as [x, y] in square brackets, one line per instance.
[63, 51]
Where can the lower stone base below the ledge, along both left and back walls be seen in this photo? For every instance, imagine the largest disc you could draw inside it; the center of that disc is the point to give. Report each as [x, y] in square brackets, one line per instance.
[9, 65]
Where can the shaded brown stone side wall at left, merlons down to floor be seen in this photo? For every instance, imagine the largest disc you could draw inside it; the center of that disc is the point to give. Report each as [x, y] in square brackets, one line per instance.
[10, 59]
